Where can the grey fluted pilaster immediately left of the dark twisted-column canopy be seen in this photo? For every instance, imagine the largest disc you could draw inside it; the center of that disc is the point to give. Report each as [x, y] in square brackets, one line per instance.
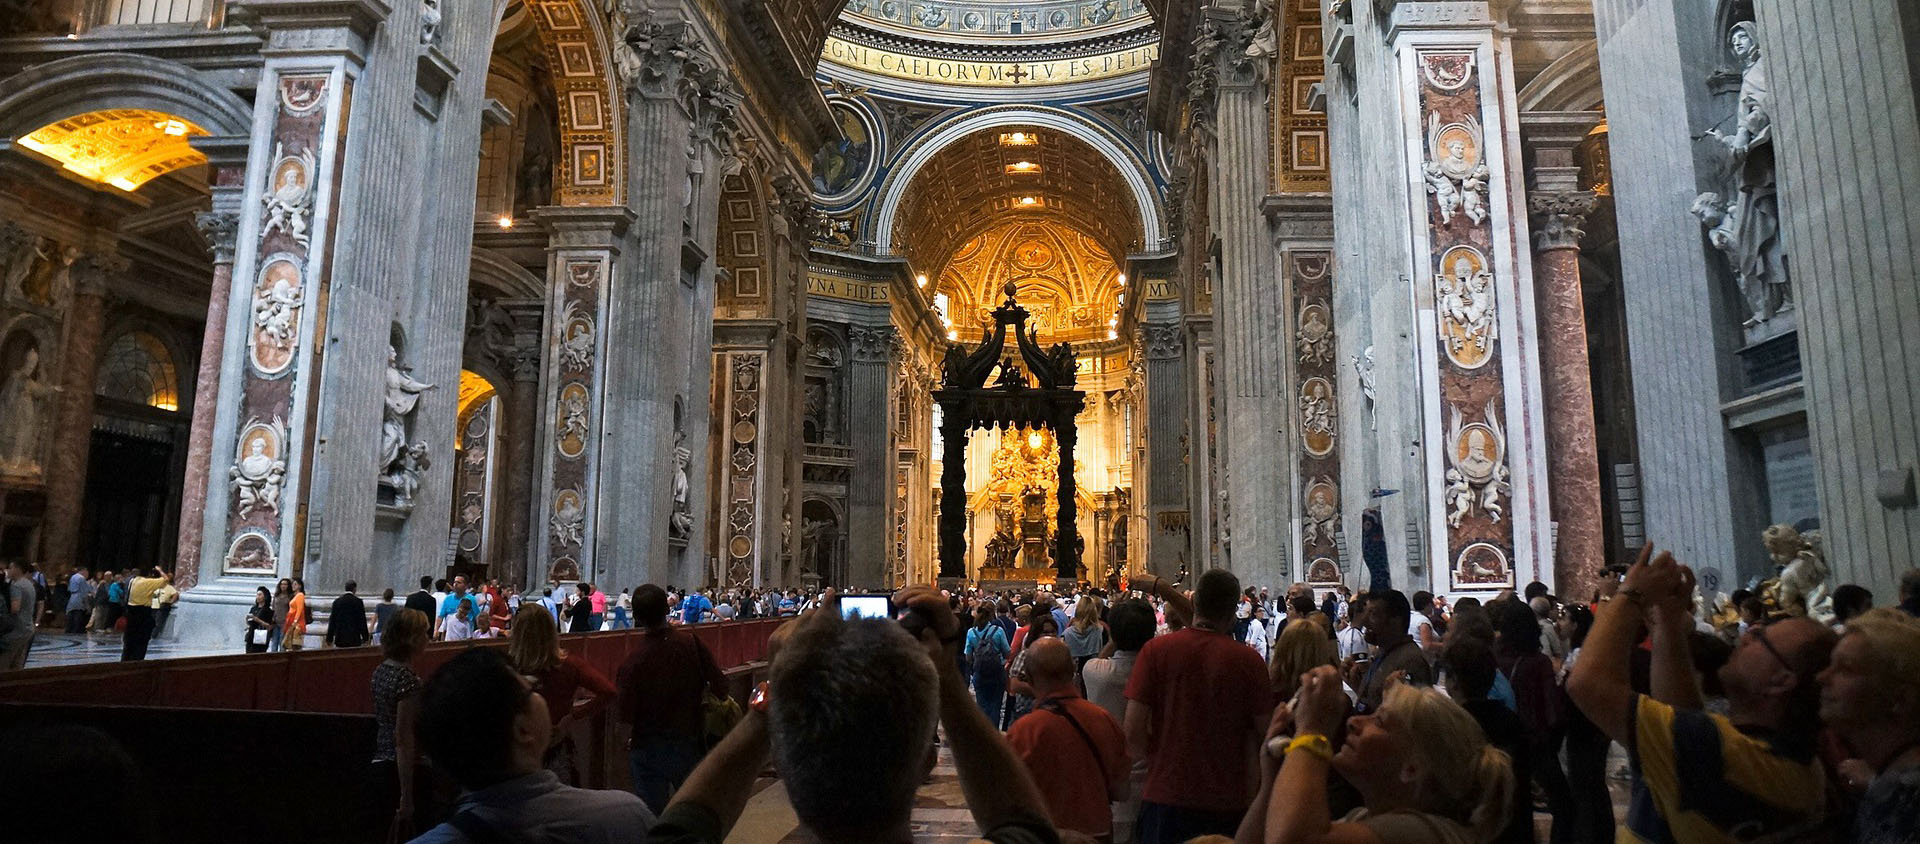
[869, 433]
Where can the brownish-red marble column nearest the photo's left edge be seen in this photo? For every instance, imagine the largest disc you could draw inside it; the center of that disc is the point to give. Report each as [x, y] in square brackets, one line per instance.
[74, 417]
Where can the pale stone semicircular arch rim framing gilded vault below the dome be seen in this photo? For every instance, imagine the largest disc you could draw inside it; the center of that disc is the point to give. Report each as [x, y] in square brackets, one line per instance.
[1109, 145]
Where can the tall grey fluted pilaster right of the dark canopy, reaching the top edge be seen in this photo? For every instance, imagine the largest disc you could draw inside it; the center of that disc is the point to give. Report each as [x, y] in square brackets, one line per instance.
[1232, 101]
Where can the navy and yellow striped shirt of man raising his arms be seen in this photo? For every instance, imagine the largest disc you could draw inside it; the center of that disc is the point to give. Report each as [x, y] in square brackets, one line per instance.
[1698, 780]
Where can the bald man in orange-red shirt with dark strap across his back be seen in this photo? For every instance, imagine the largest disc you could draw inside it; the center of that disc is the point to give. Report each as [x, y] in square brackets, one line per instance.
[1074, 749]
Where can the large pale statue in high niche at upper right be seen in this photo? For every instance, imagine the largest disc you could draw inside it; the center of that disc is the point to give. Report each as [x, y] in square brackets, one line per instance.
[1746, 227]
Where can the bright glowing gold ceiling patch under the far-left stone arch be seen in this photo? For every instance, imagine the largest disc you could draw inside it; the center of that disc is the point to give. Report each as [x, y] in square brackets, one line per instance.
[124, 149]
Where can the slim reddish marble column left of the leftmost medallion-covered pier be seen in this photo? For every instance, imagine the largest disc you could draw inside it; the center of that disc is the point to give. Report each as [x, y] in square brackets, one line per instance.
[222, 231]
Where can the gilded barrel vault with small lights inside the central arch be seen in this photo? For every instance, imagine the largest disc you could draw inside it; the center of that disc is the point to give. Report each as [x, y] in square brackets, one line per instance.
[982, 179]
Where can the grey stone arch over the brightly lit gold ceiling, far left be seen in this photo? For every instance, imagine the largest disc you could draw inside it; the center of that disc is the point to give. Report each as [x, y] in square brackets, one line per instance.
[87, 83]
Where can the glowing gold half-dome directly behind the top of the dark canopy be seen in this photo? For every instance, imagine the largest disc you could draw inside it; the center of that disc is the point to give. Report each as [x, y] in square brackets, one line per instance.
[1065, 279]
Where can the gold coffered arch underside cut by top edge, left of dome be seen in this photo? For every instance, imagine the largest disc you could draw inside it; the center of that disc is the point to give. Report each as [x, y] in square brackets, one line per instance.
[592, 141]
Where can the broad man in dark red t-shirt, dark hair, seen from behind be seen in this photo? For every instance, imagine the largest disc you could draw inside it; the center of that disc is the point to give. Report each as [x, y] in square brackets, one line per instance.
[1197, 707]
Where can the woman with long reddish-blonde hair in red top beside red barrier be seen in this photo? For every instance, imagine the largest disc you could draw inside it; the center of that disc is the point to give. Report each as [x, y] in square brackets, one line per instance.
[573, 690]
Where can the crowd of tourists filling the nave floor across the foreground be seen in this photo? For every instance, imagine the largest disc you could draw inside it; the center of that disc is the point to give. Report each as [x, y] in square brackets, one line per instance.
[1161, 715]
